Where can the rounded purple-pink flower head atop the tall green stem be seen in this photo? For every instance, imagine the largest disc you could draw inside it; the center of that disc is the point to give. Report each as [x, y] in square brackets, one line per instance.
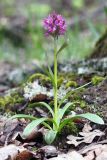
[54, 25]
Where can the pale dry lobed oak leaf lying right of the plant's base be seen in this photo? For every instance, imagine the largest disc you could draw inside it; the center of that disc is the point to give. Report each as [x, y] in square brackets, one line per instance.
[86, 137]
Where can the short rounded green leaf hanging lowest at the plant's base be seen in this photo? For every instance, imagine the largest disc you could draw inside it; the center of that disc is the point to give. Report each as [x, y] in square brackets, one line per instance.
[50, 136]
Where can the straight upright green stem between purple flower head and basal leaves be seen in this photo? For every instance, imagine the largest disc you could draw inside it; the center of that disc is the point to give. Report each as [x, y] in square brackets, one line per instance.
[55, 80]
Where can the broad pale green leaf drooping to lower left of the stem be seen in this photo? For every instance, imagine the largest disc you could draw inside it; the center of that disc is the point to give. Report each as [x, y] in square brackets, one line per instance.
[31, 126]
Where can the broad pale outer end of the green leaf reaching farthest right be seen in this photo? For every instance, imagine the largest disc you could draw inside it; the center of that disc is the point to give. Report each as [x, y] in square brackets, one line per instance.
[92, 117]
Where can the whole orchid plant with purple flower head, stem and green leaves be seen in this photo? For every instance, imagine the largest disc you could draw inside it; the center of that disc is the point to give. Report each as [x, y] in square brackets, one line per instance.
[55, 26]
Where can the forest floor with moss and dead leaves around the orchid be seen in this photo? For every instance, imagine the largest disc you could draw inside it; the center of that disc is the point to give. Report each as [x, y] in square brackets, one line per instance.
[81, 140]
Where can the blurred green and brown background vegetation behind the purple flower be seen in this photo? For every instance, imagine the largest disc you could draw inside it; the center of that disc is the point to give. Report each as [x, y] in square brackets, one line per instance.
[21, 32]
